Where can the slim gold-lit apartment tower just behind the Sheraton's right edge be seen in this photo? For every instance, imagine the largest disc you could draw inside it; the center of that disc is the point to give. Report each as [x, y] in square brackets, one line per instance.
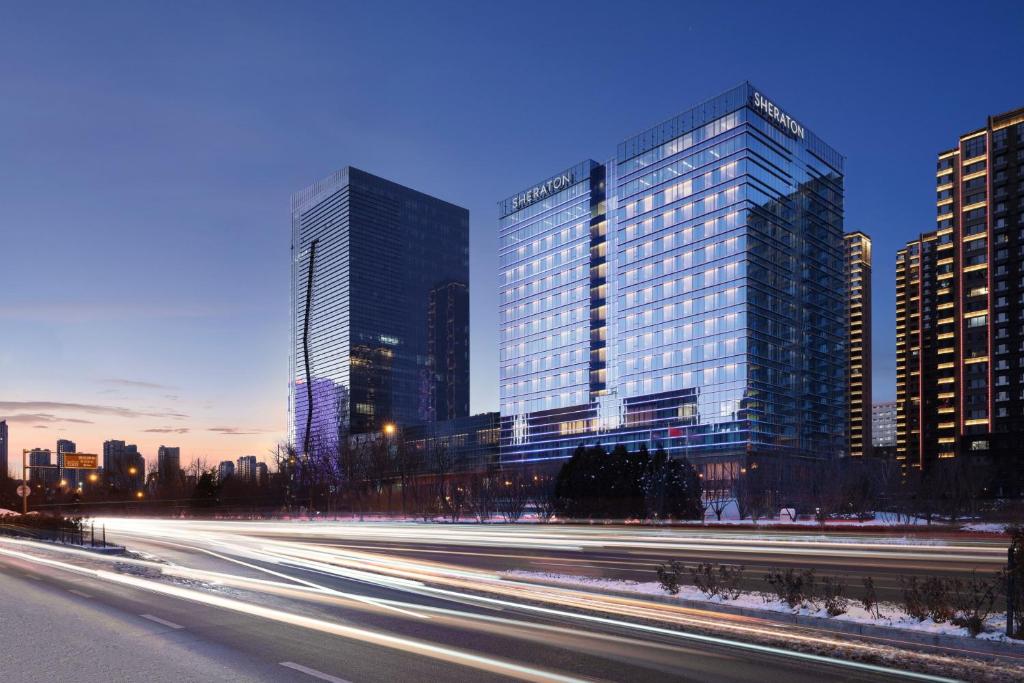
[859, 308]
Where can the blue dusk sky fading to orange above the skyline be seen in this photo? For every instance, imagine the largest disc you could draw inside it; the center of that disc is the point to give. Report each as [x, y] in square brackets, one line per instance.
[149, 152]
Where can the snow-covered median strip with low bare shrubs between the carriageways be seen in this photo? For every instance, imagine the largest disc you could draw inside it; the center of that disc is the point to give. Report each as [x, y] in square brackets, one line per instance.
[890, 615]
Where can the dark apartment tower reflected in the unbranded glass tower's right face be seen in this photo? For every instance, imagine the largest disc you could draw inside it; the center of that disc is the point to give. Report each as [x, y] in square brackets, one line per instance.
[448, 345]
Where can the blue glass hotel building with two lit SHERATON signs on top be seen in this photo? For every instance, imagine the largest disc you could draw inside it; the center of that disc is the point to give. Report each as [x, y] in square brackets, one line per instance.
[690, 293]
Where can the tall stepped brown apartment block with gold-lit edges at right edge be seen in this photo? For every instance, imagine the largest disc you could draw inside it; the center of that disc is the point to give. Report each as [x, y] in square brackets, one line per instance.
[960, 306]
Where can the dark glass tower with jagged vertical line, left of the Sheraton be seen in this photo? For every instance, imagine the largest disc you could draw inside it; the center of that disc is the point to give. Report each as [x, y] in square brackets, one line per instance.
[367, 253]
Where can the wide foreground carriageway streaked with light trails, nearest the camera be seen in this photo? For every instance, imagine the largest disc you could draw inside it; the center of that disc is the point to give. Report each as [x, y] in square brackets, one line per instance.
[386, 603]
